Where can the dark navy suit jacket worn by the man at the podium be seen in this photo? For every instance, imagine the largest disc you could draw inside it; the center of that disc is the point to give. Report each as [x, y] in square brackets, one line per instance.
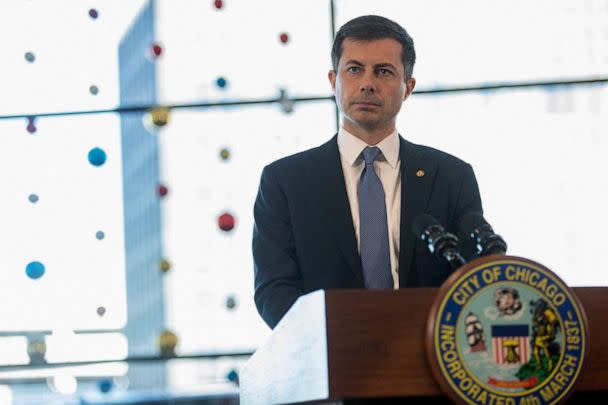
[304, 238]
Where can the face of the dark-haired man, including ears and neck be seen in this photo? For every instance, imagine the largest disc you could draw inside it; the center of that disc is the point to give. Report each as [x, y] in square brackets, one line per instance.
[369, 84]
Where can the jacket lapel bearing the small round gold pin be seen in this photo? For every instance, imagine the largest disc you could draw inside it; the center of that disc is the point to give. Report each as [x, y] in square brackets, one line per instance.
[417, 175]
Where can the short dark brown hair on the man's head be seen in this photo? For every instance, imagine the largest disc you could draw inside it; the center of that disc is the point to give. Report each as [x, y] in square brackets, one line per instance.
[372, 27]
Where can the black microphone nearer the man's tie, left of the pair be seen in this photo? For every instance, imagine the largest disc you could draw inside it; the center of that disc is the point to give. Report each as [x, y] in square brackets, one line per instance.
[440, 243]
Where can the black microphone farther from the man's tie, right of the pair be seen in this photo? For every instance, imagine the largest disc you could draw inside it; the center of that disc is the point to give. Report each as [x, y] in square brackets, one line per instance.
[481, 232]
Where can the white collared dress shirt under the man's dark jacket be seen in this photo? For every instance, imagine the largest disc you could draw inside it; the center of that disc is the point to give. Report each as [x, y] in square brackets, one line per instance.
[387, 167]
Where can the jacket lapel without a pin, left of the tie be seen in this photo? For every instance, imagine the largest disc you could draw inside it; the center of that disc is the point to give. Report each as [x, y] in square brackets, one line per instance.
[338, 206]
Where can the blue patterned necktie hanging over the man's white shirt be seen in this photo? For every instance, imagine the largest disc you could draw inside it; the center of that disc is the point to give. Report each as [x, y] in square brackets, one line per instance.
[375, 255]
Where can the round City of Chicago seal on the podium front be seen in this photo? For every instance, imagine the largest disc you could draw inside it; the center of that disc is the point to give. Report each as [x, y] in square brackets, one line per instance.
[506, 330]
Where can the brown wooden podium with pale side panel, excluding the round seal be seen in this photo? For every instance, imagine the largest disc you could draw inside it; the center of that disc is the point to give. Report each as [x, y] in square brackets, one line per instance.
[358, 345]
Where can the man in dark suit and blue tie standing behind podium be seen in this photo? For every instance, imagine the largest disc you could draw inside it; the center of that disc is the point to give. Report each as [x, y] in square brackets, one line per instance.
[340, 215]
